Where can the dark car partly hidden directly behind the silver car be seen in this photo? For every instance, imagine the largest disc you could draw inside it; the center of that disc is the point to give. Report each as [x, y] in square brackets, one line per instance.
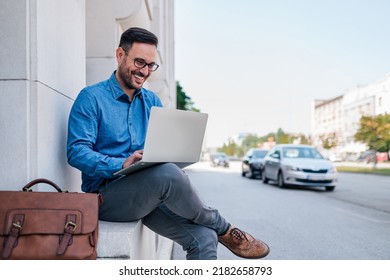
[252, 163]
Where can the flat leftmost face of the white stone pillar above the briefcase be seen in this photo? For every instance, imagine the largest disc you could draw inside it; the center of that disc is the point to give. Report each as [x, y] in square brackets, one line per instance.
[14, 88]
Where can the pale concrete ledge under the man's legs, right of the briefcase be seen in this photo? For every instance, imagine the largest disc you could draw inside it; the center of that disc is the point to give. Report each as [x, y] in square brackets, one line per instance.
[131, 240]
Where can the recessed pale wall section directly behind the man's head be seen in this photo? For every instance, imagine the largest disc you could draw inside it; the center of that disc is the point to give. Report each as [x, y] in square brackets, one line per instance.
[105, 22]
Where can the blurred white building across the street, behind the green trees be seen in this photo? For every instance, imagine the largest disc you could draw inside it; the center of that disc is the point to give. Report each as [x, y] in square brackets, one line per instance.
[338, 119]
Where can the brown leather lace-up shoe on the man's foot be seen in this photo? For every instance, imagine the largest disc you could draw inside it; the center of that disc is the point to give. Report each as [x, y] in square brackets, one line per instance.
[243, 244]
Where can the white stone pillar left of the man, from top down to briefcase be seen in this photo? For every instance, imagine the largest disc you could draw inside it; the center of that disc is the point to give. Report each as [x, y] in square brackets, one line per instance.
[42, 69]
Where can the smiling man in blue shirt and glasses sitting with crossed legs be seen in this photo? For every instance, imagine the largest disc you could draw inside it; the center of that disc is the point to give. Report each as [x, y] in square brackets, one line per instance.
[107, 127]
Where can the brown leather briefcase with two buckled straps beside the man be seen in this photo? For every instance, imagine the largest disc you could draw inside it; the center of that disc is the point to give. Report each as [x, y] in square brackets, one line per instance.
[48, 225]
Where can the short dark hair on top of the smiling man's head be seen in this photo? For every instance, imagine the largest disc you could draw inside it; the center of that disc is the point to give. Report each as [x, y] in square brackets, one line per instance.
[139, 35]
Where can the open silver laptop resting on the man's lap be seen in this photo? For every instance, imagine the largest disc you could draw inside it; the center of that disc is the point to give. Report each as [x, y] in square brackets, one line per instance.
[172, 136]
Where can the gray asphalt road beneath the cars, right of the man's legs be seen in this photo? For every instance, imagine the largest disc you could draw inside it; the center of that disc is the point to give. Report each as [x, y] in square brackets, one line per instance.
[350, 223]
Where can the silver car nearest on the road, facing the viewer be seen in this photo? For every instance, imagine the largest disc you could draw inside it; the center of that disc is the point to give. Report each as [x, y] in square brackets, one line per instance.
[301, 165]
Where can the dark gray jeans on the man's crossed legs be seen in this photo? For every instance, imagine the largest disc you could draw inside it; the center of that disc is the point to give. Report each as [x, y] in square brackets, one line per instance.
[164, 198]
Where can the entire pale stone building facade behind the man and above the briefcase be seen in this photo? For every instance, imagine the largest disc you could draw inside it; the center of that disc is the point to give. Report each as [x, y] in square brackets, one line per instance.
[50, 50]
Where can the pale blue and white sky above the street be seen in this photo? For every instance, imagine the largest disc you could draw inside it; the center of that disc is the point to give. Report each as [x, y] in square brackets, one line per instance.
[255, 66]
